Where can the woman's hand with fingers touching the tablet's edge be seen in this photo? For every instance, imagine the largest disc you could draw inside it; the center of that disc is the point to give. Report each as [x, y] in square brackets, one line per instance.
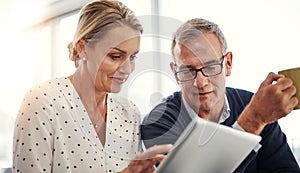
[144, 162]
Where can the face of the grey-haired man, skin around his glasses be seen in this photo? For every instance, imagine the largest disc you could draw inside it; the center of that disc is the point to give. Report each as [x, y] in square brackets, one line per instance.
[204, 94]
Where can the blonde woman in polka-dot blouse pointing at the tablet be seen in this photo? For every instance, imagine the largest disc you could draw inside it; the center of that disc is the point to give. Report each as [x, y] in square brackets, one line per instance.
[74, 124]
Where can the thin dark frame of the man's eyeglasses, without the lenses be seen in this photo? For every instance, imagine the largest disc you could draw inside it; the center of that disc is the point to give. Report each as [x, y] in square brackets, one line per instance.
[201, 70]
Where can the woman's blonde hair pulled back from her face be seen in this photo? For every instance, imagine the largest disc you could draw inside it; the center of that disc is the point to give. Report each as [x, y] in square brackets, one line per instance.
[96, 18]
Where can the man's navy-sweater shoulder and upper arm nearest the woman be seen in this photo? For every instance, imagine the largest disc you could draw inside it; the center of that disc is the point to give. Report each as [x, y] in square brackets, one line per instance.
[165, 122]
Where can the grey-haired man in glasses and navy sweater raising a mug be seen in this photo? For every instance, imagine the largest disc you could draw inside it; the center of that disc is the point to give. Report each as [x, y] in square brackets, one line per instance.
[201, 64]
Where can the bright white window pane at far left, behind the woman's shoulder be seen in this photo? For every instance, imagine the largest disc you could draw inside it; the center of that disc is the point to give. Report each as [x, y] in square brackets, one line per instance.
[27, 62]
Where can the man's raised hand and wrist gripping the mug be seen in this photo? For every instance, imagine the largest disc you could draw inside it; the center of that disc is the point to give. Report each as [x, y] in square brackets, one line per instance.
[271, 102]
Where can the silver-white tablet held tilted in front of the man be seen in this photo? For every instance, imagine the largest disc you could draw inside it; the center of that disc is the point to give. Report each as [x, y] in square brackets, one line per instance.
[208, 147]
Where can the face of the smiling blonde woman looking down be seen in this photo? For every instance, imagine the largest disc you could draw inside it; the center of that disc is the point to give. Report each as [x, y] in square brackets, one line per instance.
[111, 60]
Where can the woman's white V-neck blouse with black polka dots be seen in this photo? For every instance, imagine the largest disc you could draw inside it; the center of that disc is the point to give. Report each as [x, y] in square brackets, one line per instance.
[53, 132]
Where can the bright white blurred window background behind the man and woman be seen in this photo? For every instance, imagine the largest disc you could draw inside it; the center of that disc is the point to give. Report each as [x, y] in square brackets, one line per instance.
[263, 36]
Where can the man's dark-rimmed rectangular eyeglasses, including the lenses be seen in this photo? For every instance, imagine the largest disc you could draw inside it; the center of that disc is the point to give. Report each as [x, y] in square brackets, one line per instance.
[207, 71]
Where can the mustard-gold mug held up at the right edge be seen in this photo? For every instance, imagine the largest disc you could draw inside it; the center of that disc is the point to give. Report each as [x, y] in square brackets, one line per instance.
[294, 75]
